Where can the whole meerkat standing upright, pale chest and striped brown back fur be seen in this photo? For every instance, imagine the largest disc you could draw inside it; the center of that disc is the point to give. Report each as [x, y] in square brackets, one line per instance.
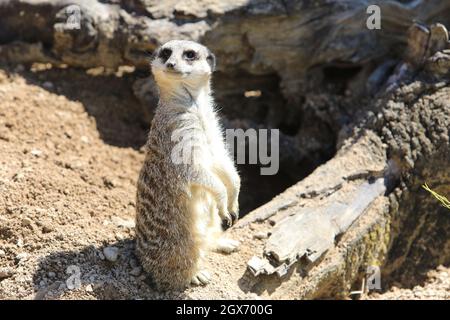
[188, 183]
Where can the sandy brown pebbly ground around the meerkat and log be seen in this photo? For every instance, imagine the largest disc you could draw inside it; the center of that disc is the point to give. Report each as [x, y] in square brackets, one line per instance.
[70, 156]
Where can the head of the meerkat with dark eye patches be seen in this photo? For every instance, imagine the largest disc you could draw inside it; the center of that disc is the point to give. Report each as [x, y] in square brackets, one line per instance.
[182, 62]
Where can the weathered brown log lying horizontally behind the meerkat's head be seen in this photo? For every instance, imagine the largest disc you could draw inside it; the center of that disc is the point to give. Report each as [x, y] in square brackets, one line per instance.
[111, 34]
